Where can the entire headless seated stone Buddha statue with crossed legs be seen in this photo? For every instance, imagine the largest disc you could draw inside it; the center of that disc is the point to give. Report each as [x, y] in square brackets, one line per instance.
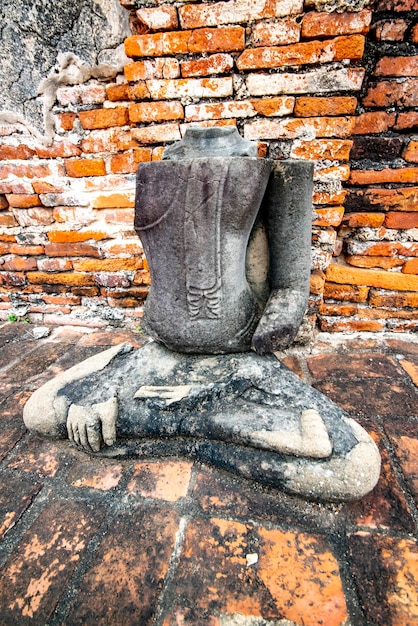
[227, 238]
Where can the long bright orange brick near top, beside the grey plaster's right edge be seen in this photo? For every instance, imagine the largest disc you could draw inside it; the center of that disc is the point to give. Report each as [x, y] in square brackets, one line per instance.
[209, 40]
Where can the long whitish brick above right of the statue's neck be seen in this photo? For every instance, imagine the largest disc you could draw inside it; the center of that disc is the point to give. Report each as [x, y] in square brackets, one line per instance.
[320, 80]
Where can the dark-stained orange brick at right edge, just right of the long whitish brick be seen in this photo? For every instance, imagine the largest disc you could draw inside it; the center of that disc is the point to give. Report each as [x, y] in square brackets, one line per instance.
[391, 92]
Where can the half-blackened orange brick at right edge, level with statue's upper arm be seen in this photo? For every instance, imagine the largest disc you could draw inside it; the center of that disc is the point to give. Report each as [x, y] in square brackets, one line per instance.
[401, 199]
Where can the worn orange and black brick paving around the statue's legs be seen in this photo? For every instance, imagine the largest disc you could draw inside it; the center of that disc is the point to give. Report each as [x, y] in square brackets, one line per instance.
[169, 542]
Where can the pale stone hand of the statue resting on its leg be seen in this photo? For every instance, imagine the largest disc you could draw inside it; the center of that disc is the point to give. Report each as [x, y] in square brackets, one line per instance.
[92, 426]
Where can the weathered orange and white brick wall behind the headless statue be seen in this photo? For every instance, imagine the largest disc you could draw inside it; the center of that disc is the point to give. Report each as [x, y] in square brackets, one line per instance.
[338, 88]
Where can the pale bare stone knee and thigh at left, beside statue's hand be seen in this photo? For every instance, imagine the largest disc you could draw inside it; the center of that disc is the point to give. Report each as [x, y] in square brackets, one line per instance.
[45, 413]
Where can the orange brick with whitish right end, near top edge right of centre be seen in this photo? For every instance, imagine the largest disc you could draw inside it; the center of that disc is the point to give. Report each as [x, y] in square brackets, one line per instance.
[316, 24]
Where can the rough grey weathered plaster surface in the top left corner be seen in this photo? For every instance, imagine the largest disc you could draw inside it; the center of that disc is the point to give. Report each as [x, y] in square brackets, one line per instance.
[87, 28]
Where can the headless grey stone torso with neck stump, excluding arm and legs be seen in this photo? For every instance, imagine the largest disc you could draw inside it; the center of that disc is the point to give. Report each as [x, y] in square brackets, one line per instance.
[194, 215]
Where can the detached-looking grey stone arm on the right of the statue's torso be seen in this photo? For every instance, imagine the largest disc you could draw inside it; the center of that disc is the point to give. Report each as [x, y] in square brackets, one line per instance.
[288, 216]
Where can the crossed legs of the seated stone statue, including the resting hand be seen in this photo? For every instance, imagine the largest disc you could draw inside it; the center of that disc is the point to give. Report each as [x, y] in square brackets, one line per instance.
[242, 412]
